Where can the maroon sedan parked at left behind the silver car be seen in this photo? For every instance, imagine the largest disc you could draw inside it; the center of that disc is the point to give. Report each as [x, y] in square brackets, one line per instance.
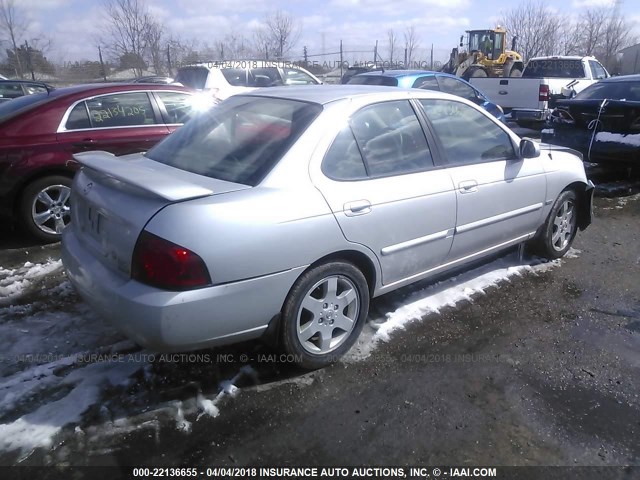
[40, 133]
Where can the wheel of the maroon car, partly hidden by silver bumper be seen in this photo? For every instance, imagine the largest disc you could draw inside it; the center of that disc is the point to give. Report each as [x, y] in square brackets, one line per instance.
[54, 213]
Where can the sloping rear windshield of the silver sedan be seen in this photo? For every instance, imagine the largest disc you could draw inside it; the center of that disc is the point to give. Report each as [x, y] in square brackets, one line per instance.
[239, 140]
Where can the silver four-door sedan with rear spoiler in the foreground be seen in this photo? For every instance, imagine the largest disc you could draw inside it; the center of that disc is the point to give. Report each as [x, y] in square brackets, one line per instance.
[285, 211]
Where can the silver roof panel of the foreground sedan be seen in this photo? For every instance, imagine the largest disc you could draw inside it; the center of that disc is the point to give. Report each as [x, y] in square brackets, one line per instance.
[324, 94]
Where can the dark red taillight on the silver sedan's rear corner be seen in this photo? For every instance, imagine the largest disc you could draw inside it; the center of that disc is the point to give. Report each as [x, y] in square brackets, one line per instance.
[165, 265]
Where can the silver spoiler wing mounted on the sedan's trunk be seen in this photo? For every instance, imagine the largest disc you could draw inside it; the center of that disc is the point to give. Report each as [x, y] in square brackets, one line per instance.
[150, 180]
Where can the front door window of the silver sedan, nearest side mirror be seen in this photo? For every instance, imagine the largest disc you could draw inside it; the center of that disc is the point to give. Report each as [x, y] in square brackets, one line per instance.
[467, 135]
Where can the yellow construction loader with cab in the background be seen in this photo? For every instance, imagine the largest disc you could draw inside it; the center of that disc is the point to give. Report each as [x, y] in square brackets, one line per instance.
[486, 56]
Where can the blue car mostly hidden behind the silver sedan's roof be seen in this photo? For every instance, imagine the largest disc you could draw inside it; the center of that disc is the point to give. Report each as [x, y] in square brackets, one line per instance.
[428, 80]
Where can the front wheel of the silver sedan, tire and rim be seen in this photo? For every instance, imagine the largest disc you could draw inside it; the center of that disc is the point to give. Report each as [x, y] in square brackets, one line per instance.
[555, 237]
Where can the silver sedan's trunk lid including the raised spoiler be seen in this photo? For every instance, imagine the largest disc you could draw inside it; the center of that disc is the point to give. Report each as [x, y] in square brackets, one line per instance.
[113, 198]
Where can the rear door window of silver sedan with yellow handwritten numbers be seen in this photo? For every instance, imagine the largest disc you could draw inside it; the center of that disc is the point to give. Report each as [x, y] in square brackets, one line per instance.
[391, 139]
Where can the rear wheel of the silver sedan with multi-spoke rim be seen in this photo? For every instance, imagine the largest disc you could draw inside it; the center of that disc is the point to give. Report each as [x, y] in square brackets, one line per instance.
[326, 341]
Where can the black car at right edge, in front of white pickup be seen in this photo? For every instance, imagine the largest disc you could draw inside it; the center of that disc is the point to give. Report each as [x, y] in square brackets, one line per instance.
[602, 121]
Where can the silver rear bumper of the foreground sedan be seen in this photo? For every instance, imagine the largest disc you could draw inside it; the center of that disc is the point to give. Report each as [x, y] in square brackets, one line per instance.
[176, 321]
